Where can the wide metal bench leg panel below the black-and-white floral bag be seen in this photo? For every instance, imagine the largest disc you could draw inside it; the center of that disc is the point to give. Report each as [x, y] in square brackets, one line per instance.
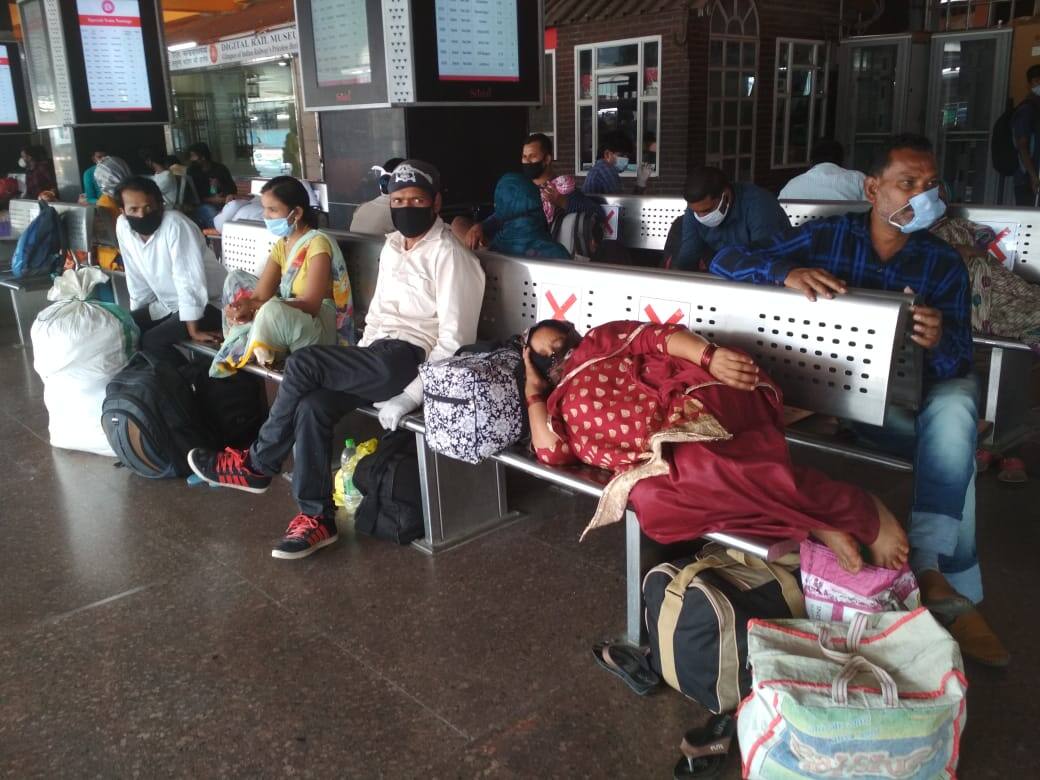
[460, 502]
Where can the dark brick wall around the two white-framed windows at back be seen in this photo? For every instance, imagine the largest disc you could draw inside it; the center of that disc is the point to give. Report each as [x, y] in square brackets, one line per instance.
[684, 86]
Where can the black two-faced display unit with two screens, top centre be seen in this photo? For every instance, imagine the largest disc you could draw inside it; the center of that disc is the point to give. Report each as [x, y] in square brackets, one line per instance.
[371, 54]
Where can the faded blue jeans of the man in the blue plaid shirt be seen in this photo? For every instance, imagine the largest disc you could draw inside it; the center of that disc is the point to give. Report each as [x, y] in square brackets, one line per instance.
[942, 439]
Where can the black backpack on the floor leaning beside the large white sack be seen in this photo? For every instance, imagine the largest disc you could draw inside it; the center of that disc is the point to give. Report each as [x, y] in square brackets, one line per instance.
[152, 420]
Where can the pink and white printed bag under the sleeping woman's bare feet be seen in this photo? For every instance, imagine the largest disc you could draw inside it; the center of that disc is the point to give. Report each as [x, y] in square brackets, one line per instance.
[834, 594]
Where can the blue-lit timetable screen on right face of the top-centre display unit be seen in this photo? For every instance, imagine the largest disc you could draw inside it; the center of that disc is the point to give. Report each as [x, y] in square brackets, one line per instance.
[478, 41]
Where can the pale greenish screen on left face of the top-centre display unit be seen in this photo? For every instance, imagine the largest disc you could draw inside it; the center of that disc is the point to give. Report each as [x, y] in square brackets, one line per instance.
[342, 50]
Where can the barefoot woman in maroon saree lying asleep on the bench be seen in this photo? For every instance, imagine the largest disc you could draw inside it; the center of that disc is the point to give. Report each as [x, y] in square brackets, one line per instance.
[694, 436]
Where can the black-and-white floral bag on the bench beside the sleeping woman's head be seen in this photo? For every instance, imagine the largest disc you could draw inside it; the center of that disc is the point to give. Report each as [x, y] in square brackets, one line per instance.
[472, 405]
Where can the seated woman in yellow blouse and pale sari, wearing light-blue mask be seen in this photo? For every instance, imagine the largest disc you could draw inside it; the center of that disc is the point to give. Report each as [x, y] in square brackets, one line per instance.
[303, 297]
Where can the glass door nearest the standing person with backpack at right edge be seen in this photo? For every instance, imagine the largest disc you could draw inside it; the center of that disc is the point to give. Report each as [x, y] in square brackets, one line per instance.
[969, 75]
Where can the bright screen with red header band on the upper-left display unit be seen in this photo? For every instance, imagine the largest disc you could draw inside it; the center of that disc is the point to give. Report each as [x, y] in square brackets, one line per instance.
[114, 53]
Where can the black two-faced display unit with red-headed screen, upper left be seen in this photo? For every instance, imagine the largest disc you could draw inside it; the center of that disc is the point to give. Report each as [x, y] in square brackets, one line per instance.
[113, 48]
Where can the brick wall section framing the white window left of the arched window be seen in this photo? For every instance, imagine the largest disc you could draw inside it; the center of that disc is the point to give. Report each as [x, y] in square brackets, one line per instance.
[672, 147]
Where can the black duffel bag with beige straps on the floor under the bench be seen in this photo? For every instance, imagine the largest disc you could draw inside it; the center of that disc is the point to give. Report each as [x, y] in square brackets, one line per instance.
[697, 613]
